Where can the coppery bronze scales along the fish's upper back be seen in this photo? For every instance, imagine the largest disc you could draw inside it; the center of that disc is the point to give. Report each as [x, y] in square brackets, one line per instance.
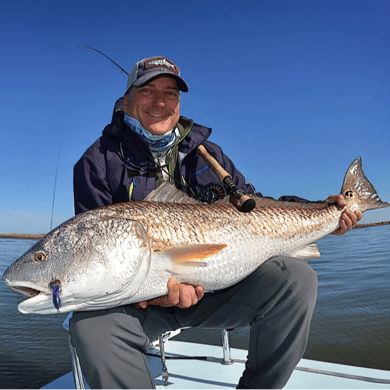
[184, 223]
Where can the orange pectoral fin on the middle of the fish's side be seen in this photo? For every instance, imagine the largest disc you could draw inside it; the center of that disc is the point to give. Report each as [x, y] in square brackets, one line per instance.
[193, 255]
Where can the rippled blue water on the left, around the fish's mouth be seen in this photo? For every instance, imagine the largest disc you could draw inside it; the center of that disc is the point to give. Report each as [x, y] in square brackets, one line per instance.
[33, 349]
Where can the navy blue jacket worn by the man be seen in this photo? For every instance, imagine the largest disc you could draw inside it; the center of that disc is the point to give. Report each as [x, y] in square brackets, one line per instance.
[102, 178]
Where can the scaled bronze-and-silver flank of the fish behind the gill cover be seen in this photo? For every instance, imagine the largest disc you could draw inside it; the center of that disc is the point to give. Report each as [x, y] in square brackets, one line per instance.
[223, 223]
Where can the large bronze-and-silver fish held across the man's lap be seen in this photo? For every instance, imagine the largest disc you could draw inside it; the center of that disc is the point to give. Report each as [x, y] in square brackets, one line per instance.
[125, 253]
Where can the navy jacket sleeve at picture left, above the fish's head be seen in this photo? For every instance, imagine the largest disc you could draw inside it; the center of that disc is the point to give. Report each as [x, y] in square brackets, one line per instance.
[90, 185]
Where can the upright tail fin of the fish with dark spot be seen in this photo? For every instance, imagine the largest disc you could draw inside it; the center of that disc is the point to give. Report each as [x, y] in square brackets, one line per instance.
[358, 191]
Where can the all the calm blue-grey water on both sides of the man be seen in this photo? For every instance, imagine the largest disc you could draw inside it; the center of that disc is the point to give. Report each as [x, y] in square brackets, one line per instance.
[350, 324]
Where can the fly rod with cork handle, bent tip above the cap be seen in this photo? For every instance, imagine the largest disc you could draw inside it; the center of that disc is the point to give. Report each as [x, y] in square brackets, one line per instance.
[239, 199]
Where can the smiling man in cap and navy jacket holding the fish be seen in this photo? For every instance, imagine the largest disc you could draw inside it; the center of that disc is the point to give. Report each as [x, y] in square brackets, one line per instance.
[146, 143]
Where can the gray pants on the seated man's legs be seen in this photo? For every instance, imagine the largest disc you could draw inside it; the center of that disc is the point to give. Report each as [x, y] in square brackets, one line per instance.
[277, 302]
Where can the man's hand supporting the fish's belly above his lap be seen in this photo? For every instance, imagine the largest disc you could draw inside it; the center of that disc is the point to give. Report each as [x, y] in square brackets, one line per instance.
[180, 295]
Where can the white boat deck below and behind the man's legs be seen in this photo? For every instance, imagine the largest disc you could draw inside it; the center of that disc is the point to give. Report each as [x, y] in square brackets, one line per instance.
[207, 372]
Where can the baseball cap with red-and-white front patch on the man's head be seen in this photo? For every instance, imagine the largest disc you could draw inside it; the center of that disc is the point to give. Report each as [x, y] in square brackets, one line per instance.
[149, 68]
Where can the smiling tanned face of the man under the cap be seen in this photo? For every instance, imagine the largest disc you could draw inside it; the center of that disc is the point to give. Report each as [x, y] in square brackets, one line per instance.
[155, 105]
